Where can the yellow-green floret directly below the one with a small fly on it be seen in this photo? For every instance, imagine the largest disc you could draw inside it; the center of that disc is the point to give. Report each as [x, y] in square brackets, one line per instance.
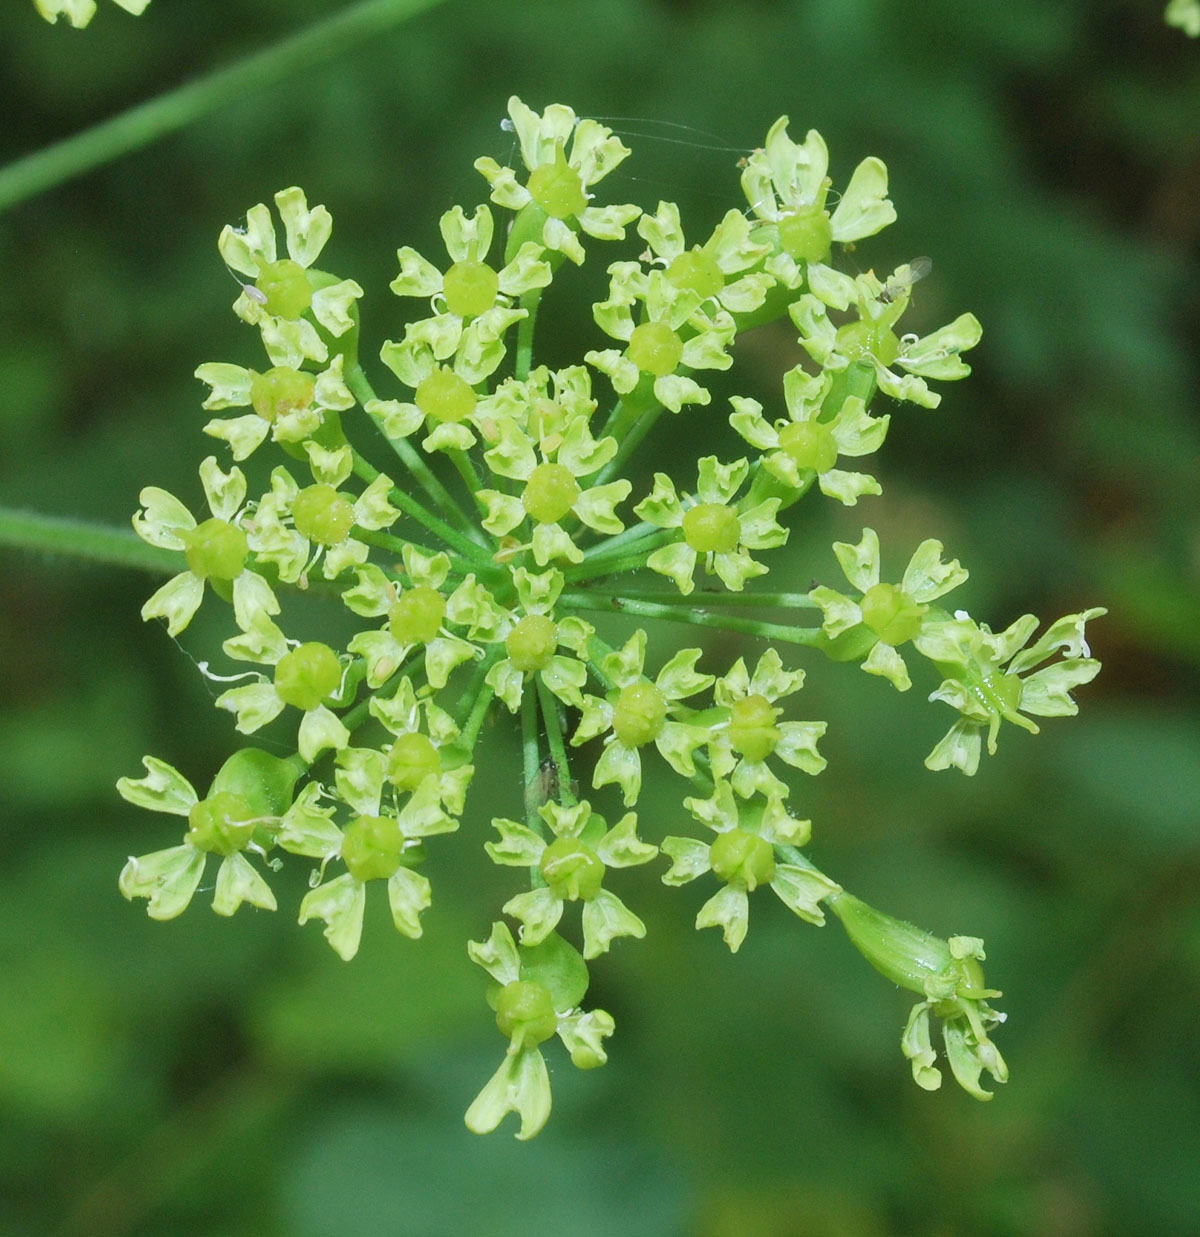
[810, 442]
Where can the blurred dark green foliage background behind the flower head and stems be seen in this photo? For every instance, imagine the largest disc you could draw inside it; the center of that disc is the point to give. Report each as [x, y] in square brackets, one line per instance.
[237, 1078]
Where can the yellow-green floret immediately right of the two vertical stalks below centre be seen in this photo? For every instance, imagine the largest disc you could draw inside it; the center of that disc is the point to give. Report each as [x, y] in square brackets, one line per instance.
[639, 713]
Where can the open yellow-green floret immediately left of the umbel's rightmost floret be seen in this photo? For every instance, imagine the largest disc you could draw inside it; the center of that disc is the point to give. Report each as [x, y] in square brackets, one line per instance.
[886, 615]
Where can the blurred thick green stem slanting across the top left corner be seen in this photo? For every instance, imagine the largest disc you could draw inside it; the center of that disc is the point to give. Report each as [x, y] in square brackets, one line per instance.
[142, 126]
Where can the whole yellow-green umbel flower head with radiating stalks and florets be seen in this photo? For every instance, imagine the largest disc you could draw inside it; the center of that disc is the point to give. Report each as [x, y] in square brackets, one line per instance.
[474, 514]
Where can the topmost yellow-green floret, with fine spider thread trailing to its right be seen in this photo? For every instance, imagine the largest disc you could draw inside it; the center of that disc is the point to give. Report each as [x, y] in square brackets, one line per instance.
[555, 197]
